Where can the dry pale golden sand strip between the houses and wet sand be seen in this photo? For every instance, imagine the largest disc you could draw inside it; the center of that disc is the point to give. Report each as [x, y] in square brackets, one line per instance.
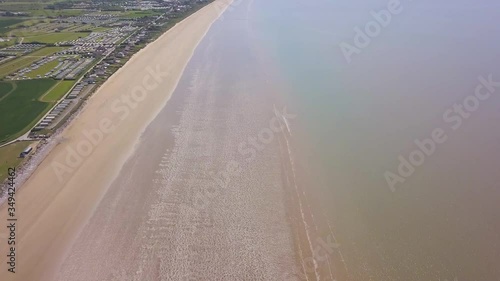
[58, 199]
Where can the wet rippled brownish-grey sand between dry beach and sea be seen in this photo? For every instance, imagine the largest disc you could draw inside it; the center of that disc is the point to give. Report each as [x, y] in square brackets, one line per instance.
[194, 201]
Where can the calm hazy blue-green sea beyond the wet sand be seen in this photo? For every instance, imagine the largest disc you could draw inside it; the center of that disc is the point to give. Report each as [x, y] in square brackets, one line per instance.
[358, 117]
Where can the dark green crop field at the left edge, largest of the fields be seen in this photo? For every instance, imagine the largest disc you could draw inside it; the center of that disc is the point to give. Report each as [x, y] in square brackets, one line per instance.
[21, 109]
